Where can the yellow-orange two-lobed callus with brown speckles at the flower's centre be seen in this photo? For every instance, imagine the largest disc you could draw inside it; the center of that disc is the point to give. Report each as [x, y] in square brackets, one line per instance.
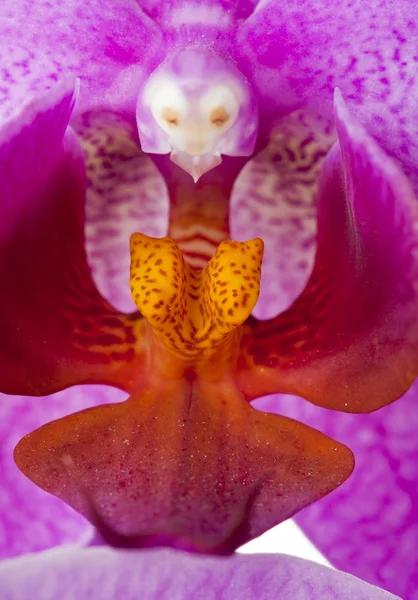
[193, 311]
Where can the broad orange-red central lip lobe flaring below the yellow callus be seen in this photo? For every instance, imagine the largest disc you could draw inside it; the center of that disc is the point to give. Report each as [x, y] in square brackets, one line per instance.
[183, 462]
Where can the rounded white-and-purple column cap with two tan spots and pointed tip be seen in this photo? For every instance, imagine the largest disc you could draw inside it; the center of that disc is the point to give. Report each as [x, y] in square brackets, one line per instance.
[196, 106]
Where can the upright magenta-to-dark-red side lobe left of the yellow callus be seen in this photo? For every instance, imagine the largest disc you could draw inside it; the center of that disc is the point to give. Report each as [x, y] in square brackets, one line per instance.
[43, 269]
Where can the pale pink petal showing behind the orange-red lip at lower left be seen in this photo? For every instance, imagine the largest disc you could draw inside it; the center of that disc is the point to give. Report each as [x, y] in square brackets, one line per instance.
[31, 519]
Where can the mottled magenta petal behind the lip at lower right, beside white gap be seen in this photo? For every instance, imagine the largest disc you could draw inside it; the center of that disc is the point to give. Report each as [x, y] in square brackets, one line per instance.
[369, 526]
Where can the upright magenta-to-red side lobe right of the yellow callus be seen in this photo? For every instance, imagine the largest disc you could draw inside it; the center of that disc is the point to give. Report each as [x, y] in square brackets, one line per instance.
[357, 314]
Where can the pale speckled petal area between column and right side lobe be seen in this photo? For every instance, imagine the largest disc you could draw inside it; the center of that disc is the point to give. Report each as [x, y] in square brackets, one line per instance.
[274, 198]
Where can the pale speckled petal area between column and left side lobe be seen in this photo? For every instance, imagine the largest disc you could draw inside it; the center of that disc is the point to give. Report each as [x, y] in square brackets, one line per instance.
[125, 194]
